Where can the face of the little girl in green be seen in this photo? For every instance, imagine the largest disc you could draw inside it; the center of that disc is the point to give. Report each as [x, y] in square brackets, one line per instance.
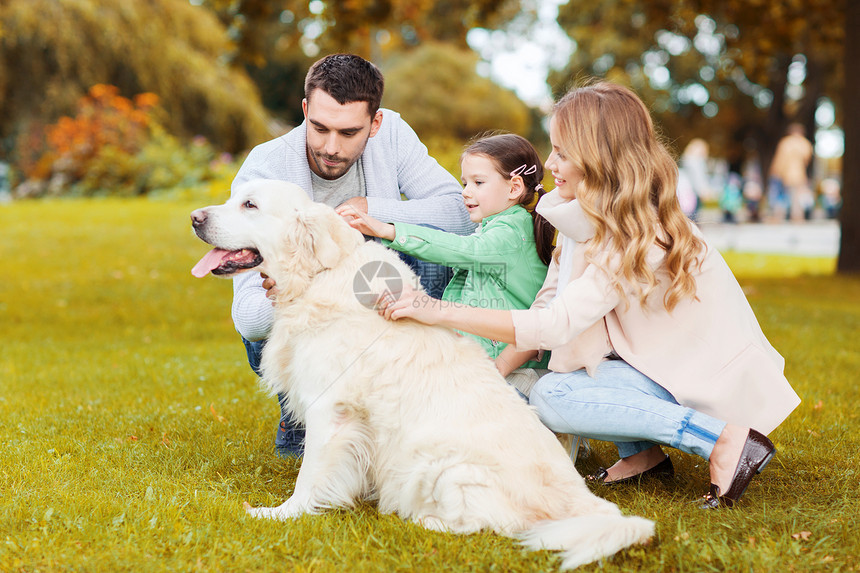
[485, 191]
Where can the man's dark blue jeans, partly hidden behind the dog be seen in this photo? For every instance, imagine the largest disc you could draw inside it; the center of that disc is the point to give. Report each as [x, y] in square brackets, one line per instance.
[290, 436]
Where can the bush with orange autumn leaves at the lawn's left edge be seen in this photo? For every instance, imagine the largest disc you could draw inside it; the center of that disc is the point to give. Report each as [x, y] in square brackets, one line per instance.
[112, 146]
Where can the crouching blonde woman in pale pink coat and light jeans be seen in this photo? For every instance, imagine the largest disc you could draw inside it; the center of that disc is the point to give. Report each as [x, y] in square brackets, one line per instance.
[667, 349]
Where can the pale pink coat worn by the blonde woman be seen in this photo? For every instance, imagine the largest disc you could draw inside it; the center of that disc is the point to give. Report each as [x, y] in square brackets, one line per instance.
[709, 352]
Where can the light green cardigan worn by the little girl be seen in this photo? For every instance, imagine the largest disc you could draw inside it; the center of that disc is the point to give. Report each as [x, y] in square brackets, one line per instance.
[496, 267]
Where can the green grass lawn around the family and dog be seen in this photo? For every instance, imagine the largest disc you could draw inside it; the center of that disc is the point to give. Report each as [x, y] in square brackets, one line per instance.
[131, 428]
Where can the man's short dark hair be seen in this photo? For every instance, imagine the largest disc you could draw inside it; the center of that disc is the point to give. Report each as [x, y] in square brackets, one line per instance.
[347, 78]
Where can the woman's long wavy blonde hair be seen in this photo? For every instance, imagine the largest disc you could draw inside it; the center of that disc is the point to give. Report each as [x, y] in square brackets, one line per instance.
[628, 188]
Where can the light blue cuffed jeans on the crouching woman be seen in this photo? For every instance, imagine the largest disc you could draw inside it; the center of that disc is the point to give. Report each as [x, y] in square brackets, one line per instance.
[622, 405]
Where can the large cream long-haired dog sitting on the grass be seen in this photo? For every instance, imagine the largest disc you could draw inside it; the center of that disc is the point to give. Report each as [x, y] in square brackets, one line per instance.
[413, 416]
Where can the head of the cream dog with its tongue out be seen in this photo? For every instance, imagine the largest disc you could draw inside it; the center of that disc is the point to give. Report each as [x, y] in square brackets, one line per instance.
[274, 227]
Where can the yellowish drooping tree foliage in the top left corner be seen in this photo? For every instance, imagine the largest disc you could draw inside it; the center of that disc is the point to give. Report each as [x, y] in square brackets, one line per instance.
[52, 52]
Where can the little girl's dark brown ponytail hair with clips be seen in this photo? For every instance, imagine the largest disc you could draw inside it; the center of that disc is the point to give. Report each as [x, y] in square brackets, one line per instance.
[511, 153]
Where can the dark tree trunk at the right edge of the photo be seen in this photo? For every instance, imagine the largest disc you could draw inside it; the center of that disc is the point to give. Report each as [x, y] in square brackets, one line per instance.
[849, 248]
